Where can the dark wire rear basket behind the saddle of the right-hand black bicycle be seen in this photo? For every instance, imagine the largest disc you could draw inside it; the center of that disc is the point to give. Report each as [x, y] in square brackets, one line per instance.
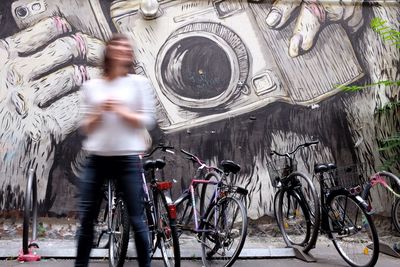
[349, 176]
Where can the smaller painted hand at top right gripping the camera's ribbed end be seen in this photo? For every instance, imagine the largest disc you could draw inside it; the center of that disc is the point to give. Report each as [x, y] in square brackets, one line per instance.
[313, 16]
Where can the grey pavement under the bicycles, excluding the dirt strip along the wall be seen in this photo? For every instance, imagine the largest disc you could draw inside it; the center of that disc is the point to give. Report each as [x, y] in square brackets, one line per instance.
[257, 252]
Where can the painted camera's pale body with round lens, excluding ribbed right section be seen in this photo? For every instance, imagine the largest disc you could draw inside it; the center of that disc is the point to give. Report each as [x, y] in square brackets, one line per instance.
[204, 59]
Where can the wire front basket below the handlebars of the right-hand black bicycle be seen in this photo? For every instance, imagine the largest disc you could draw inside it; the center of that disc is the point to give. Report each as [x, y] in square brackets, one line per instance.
[279, 168]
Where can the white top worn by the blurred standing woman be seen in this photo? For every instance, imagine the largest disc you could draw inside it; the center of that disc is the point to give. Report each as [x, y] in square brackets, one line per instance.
[114, 136]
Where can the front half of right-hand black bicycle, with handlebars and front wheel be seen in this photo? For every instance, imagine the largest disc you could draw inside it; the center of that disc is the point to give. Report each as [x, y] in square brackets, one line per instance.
[296, 204]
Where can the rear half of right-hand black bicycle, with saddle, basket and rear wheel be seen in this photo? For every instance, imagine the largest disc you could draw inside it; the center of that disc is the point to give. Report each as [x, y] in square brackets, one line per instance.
[345, 216]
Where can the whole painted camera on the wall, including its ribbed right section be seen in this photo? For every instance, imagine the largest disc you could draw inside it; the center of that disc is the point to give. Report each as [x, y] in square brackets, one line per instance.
[210, 60]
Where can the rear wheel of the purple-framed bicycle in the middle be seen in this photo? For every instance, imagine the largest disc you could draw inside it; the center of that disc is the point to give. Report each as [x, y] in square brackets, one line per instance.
[222, 206]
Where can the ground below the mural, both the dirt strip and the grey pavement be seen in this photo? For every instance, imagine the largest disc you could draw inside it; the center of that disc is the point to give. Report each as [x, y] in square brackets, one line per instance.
[264, 247]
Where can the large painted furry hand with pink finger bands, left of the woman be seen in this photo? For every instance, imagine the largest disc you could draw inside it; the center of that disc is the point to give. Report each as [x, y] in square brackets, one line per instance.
[42, 68]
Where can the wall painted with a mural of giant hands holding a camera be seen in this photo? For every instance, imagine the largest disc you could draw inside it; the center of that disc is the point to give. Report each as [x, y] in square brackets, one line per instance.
[233, 80]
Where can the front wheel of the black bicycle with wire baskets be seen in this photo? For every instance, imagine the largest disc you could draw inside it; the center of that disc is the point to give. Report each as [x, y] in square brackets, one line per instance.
[293, 219]
